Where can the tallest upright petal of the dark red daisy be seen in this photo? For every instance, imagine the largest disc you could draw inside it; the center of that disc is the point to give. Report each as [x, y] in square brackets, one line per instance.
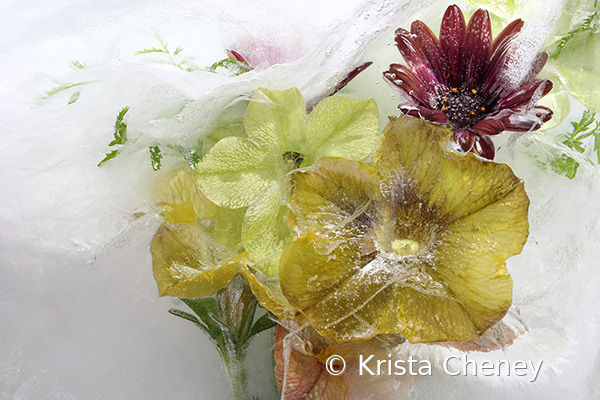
[452, 34]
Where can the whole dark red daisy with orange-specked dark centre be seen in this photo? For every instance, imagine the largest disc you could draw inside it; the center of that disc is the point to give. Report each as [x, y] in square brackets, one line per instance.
[461, 79]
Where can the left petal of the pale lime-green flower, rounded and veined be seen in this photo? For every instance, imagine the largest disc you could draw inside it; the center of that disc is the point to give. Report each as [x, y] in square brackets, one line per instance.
[235, 172]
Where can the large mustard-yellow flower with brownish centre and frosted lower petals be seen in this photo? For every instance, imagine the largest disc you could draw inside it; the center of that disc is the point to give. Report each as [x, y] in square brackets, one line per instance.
[415, 246]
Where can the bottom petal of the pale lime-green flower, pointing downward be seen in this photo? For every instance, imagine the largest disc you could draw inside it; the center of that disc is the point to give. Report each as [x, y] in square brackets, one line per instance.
[265, 229]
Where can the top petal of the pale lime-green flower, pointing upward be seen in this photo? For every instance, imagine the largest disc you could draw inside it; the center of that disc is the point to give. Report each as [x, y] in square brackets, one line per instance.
[275, 117]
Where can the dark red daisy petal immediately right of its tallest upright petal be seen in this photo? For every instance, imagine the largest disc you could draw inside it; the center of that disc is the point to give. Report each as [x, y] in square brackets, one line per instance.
[477, 48]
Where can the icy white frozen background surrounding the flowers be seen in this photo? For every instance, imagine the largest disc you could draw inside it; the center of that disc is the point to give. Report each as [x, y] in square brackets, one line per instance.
[80, 316]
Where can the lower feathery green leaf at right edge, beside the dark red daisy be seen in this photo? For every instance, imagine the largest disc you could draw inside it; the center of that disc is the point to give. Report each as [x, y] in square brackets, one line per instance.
[576, 141]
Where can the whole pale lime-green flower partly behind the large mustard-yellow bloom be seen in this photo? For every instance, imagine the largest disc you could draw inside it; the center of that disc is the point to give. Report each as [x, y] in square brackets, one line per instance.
[254, 172]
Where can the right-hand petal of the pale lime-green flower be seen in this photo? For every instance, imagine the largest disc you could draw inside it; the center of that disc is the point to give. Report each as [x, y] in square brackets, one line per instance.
[341, 127]
